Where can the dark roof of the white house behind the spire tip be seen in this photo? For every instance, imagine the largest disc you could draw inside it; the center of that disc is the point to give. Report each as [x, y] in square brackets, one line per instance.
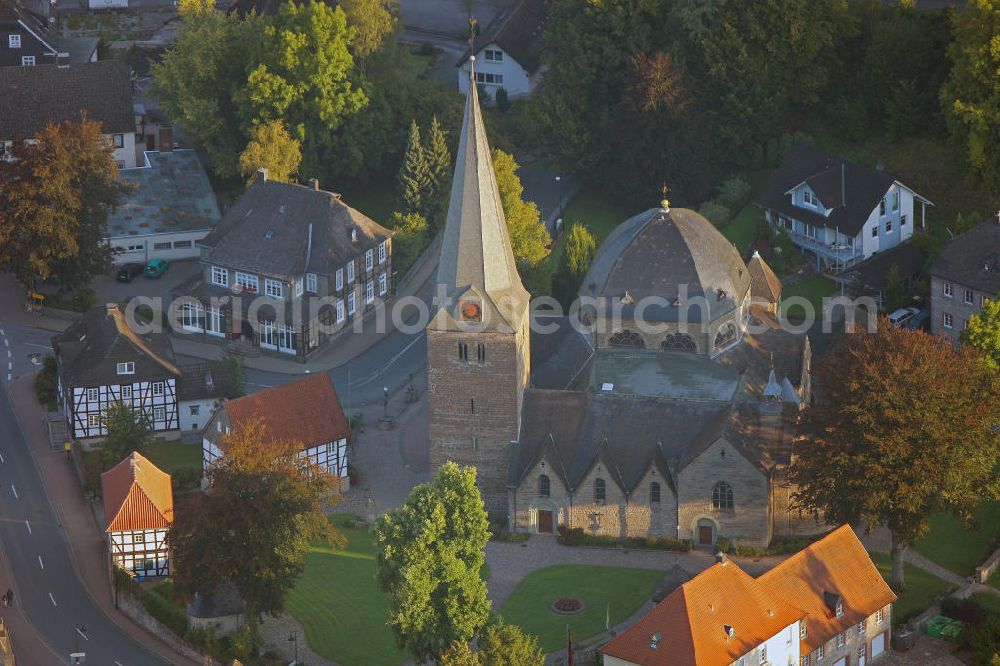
[519, 31]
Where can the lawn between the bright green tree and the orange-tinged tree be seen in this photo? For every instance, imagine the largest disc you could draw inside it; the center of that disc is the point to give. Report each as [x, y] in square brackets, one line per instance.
[339, 604]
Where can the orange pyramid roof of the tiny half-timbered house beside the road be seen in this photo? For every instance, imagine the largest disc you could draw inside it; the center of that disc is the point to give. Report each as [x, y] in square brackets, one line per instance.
[137, 496]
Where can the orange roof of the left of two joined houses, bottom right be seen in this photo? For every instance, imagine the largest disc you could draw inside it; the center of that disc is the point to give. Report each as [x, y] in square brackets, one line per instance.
[692, 622]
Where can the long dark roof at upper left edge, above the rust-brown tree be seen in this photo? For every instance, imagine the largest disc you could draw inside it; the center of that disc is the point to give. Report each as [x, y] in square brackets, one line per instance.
[31, 97]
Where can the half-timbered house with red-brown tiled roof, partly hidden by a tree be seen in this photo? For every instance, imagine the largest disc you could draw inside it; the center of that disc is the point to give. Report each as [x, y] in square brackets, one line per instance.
[306, 411]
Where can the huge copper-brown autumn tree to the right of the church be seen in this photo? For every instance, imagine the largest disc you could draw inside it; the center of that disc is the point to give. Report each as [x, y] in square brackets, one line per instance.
[900, 428]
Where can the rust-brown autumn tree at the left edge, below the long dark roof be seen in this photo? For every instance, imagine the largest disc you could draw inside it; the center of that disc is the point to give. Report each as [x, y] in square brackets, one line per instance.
[58, 191]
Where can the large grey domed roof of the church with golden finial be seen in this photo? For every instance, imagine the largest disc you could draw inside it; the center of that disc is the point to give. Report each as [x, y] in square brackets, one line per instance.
[659, 251]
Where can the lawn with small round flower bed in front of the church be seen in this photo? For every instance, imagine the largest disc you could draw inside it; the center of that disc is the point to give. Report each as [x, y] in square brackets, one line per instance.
[622, 591]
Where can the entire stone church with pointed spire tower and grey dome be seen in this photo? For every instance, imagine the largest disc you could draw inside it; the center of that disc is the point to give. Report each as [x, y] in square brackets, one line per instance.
[666, 405]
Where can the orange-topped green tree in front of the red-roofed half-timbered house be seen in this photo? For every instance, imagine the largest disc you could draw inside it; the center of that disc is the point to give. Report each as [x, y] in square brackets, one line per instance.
[256, 524]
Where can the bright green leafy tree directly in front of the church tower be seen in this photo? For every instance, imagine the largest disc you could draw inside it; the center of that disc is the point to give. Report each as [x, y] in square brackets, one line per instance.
[429, 555]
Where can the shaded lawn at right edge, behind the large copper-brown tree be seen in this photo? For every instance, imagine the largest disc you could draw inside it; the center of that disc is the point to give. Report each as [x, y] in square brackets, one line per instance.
[957, 547]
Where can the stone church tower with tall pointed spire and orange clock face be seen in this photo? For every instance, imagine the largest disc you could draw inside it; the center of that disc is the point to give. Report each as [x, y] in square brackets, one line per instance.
[477, 341]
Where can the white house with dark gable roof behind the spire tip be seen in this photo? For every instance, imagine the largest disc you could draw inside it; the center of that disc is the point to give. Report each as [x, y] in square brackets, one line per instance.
[508, 52]
